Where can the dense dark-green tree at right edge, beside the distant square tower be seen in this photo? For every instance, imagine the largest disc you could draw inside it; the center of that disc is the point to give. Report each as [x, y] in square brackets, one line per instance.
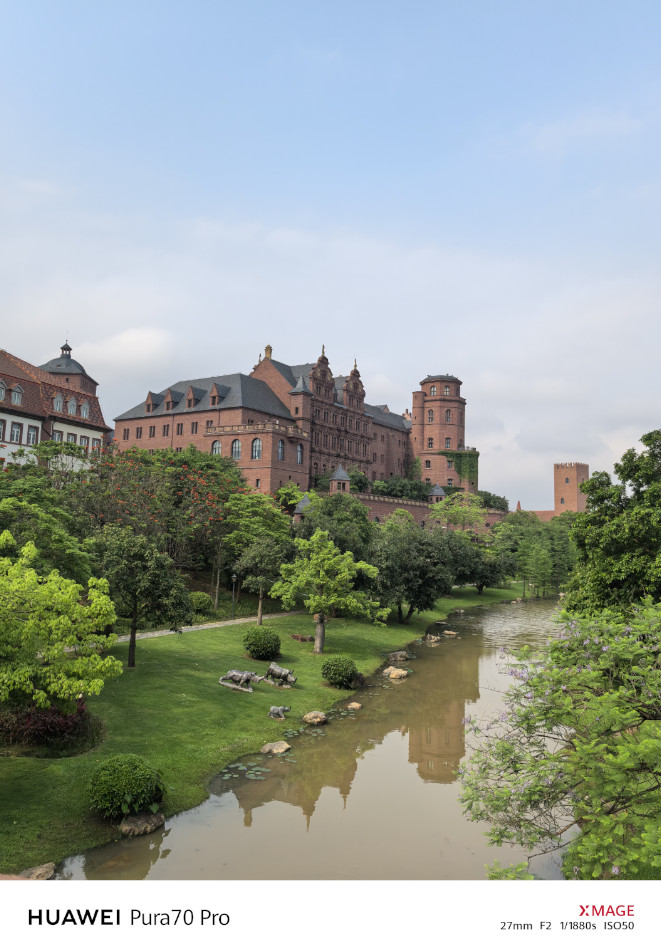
[618, 537]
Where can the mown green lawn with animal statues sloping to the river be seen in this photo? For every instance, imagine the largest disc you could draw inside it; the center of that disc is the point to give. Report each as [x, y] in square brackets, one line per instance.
[171, 710]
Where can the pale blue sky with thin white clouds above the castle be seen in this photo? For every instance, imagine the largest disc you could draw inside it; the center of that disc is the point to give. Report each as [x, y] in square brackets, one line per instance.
[425, 187]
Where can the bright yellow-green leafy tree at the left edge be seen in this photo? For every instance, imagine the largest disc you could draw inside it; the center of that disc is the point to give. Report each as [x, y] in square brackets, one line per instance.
[49, 633]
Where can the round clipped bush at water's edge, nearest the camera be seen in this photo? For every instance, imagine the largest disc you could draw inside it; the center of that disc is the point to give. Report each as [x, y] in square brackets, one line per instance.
[125, 784]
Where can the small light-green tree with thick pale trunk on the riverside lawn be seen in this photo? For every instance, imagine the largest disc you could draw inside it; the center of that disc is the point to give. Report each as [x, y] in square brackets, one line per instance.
[324, 578]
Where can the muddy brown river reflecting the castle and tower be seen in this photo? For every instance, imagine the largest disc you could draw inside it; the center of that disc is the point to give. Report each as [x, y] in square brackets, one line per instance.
[372, 795]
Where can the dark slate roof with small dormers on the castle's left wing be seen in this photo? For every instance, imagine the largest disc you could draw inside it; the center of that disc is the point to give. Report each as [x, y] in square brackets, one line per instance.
[235, 389]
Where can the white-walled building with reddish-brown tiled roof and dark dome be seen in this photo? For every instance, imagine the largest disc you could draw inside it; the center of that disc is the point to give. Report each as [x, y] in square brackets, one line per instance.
[55, 401]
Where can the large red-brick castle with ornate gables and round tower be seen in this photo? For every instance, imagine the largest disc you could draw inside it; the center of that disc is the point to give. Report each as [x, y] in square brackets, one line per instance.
[293, 422]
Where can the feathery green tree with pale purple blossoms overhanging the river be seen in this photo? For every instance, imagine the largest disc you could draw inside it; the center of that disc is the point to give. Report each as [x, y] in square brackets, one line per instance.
[574, 764]
